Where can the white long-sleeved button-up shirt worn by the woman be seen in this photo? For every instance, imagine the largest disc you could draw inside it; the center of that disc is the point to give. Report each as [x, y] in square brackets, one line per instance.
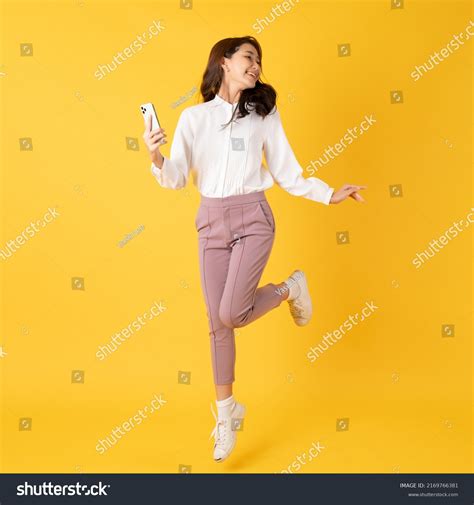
[228, 161]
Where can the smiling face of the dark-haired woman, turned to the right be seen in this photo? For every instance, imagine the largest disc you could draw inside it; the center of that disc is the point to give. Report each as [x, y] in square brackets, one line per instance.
[244, 67]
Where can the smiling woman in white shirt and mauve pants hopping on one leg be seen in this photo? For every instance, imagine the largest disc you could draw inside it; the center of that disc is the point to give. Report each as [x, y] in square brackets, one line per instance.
[220, 142]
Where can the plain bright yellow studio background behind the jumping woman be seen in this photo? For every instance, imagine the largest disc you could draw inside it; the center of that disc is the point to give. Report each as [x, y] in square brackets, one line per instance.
[406, 390]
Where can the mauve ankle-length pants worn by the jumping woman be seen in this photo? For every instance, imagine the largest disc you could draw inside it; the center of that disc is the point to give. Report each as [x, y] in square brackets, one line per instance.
[235, 236]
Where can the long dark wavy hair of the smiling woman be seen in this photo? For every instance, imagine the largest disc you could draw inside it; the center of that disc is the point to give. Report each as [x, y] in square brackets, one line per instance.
[261, 98]
